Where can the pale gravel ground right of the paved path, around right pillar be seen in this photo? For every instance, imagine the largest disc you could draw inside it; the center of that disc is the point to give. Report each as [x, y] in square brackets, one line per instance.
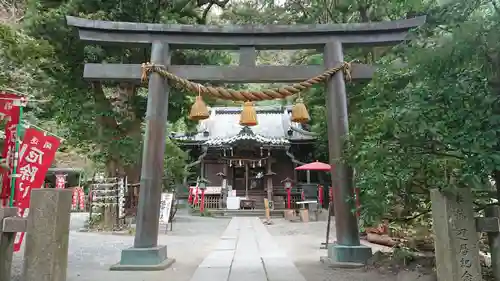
[302, 242]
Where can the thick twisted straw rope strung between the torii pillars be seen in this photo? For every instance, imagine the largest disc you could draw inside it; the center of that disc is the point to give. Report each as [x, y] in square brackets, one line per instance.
[242, 95]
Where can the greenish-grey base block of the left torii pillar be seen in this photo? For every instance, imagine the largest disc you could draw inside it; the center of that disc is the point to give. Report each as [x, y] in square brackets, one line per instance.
[143, 259]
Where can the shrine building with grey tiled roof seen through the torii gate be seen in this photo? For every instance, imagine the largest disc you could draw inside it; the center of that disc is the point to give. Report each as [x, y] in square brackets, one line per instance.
[254, 160]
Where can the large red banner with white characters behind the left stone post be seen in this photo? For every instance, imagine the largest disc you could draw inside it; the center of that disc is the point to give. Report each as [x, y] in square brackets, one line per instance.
[35, 157]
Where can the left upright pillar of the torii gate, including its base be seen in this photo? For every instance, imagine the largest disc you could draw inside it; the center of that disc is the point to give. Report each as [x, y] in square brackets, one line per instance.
[146, 253]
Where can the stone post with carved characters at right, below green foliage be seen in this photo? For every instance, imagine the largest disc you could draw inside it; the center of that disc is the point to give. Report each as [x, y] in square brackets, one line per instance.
[456, 239]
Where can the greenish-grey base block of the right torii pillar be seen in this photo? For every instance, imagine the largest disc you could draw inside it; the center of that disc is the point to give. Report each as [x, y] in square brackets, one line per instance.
[354, 254]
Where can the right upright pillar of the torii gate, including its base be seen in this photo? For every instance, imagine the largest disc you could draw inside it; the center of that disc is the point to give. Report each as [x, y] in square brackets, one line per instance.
[347, 247]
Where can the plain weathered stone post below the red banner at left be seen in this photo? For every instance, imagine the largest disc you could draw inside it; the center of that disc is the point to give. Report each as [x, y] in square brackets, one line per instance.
[47, 236]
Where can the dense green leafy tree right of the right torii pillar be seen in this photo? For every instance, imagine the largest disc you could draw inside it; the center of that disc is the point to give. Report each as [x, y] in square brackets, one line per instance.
[431, 124]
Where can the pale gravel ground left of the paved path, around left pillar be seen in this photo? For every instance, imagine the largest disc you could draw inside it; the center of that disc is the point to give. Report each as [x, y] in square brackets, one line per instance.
[91, 254]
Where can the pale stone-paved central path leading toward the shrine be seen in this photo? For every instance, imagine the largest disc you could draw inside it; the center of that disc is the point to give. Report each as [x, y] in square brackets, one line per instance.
[247, 252]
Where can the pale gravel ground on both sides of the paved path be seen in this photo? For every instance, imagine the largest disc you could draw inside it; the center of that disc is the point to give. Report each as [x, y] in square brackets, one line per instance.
[192, 239]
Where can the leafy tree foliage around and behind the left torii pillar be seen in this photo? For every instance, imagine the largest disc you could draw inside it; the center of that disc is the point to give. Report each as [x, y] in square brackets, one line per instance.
[104, 120]
